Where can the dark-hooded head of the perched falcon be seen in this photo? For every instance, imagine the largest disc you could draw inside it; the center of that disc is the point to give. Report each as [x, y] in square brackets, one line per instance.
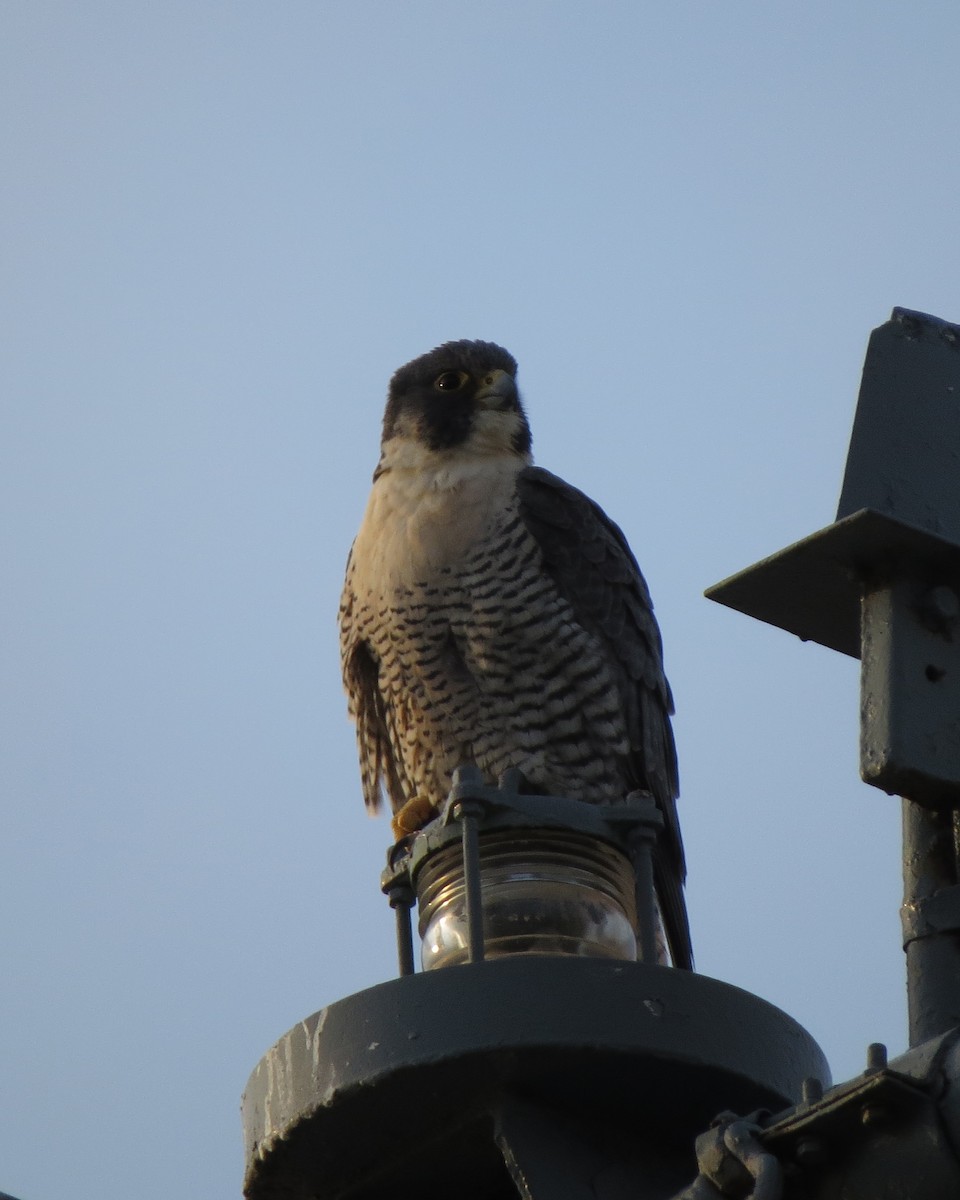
[460, 398]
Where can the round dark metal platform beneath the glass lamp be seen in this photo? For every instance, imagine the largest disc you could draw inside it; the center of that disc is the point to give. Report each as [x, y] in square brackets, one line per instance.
[521, 1077]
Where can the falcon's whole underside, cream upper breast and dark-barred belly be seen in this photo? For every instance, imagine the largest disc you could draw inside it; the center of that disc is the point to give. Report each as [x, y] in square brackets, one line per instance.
[476, 655]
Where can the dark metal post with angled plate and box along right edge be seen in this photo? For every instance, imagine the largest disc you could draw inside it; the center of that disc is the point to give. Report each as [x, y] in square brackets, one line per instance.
[884, 584]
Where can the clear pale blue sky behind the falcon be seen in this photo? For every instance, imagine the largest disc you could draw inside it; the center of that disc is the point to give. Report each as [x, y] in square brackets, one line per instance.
[224, 227]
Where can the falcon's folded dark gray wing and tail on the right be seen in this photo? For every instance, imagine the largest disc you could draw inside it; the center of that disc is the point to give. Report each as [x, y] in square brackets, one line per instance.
[590, 561]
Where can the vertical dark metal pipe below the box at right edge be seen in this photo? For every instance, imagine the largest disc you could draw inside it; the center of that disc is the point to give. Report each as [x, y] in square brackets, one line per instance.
[933, 956]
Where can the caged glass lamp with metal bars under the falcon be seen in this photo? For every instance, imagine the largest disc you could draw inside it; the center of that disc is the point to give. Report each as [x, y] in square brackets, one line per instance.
[584, 855]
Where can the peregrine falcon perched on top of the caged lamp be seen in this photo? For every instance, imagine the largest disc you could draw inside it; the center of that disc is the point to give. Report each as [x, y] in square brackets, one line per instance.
[495, 615]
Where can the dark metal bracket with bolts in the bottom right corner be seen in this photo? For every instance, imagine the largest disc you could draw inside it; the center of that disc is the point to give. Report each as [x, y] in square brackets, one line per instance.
[890, 1135]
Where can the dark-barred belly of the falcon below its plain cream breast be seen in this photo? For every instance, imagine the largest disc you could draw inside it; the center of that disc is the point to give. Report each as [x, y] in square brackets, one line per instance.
[488, 664]
